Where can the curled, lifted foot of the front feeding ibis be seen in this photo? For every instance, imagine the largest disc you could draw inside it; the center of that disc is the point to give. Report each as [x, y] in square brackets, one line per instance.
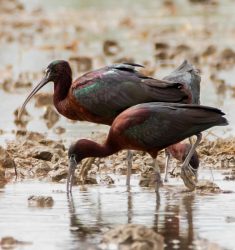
[189, 176]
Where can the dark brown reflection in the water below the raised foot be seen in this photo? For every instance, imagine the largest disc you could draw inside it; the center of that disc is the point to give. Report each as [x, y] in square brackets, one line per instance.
[175, 221]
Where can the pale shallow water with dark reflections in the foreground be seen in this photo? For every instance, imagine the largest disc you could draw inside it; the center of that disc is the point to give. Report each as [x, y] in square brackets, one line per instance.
[182, 218]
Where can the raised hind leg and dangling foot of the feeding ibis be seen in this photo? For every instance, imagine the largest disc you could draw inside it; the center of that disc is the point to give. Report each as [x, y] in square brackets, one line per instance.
[188, 174]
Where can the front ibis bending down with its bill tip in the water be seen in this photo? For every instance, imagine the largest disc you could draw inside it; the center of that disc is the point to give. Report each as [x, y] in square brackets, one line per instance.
[148, 127]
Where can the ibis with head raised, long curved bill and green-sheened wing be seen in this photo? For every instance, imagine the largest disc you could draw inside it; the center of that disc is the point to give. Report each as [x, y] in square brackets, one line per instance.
[99, 96]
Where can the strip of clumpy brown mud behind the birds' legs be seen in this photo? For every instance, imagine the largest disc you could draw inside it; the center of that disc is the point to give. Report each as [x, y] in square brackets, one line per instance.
[36, 157]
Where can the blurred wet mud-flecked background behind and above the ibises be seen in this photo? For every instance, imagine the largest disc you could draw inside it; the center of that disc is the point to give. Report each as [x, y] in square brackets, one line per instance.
[91, 34]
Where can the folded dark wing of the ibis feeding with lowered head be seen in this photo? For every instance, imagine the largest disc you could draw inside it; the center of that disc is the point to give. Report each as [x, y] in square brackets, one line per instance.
[156, 125]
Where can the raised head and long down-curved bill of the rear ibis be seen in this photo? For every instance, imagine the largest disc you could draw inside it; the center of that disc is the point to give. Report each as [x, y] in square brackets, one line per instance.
[54, 71]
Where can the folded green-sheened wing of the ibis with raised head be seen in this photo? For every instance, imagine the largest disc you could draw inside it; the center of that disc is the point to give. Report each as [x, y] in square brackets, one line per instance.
[108, 91]
